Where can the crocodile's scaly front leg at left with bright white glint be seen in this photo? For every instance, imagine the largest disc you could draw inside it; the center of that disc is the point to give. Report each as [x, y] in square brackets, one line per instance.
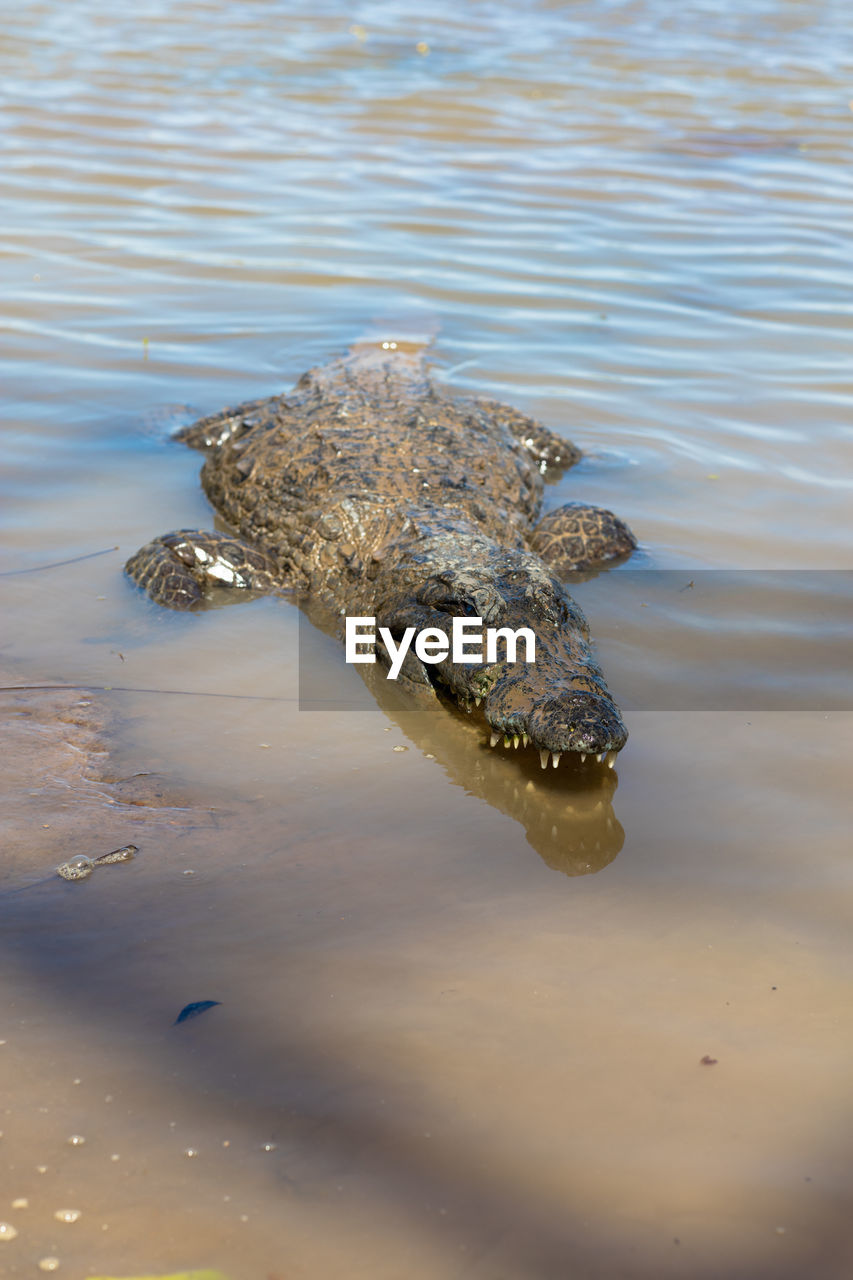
[181, 570]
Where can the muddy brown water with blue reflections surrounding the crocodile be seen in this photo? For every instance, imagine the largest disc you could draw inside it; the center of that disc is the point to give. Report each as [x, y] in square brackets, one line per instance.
[463, 1004]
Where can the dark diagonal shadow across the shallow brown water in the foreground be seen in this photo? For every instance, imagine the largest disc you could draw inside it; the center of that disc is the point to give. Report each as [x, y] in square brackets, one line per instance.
[335, 1112]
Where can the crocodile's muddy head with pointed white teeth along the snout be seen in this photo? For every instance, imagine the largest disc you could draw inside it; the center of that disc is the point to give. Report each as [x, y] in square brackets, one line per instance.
[556, 703]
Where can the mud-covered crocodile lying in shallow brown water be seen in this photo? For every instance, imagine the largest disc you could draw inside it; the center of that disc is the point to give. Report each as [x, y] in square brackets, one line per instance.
[373, 491]
